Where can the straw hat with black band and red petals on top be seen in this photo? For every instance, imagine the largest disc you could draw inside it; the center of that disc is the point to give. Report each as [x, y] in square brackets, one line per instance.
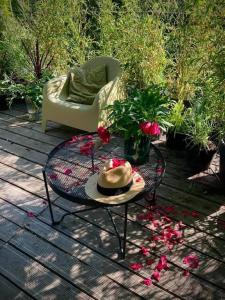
[116, 183]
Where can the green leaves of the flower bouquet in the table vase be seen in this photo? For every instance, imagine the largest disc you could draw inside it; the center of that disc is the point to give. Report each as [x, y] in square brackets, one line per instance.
[150, 104]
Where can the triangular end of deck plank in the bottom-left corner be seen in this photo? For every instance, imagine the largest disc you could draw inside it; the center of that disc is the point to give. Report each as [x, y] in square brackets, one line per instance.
[9, 291]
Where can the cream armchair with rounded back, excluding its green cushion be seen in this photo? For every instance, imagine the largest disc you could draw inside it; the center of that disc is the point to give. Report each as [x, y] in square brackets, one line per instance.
[85, 117]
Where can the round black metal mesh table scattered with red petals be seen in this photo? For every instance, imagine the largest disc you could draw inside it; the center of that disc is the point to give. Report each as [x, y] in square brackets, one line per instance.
[71, 163]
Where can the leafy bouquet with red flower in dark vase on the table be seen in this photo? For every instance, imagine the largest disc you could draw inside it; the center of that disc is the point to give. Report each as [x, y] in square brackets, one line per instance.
[138, 119]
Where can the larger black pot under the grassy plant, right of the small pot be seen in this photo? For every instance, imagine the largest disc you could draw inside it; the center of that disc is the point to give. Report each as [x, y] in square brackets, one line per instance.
[200, 159]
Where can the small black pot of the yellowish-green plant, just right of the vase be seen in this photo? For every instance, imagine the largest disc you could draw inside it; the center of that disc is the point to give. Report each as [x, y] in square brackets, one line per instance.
[176, 140]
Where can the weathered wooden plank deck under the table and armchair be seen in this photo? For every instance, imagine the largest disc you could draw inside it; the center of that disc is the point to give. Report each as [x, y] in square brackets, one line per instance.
[78, 259]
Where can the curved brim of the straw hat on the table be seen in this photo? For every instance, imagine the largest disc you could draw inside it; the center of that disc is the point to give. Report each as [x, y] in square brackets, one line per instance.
[135, 189]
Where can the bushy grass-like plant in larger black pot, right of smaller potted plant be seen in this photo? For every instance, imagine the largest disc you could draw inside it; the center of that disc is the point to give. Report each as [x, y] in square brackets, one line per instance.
[200, 147]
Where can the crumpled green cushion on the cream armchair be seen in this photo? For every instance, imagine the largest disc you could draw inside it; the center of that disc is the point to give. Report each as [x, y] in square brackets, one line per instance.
[84, 84]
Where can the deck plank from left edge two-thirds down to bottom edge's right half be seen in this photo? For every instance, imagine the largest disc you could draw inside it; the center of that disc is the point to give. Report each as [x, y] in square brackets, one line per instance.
[105, 266]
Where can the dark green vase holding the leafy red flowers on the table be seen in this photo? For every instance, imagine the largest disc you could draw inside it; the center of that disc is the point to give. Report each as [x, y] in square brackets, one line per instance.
[137, 151]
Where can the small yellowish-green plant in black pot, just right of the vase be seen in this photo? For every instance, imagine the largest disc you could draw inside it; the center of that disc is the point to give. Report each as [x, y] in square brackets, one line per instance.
[176, 135]
